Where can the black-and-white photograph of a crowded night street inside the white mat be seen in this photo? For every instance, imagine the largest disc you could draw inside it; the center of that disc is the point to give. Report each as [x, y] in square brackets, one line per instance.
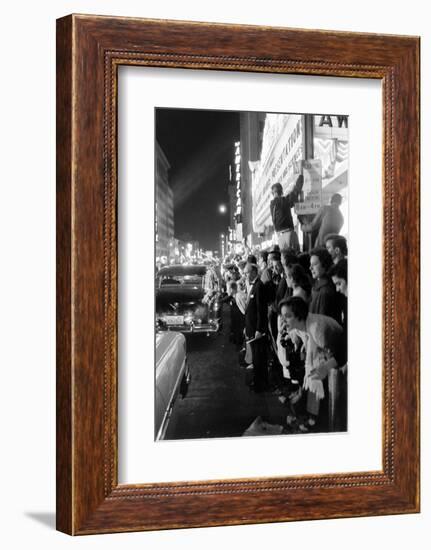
[251, 235]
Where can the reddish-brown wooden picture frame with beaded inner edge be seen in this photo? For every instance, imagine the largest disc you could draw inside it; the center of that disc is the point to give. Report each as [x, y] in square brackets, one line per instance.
[89, 51]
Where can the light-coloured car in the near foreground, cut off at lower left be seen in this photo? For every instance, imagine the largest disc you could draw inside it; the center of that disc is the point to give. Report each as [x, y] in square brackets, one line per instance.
[172, 377]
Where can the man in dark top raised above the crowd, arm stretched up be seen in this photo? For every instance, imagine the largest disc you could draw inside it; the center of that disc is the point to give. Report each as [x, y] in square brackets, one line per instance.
[281, 214]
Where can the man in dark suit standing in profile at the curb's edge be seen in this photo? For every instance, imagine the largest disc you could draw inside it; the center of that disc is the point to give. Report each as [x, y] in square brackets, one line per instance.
[256, 326]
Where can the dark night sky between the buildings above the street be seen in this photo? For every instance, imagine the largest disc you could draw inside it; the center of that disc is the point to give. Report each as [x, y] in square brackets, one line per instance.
[199, 146]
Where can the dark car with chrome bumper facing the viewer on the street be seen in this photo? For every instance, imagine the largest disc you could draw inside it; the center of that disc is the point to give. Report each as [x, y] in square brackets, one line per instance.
[182, 303]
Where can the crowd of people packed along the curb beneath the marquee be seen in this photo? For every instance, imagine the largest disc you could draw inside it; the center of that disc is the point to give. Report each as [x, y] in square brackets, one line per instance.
[289, 316]
